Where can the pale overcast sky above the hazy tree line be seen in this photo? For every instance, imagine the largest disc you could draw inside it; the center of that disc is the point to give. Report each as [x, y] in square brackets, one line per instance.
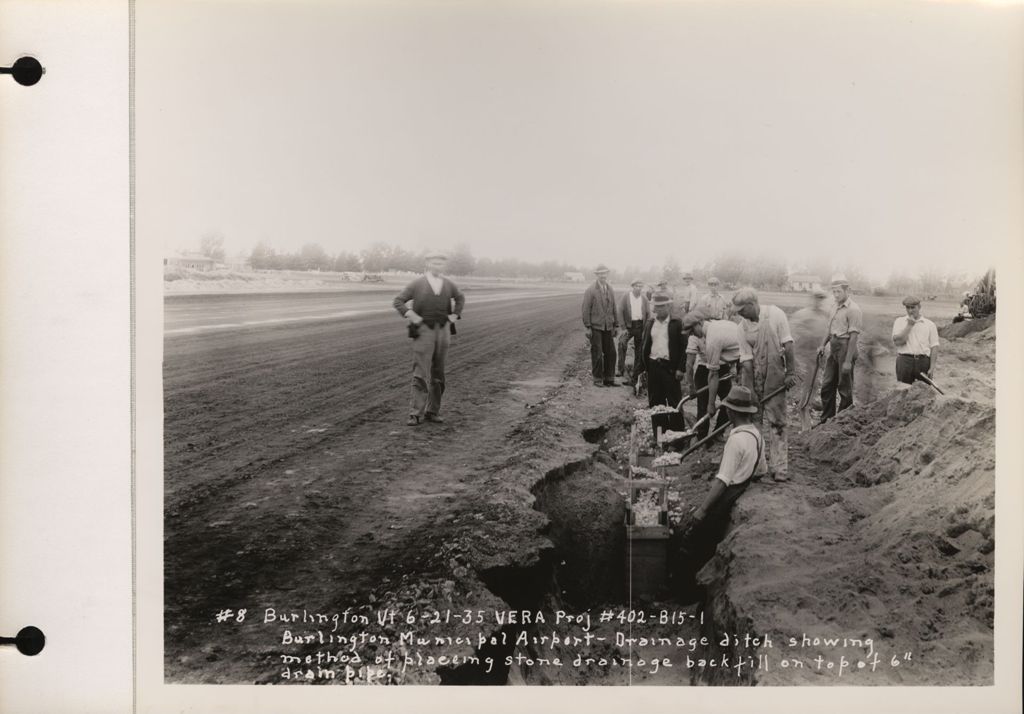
[882, 135]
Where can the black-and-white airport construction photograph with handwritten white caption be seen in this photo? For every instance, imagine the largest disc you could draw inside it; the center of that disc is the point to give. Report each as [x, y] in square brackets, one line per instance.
[577, 344]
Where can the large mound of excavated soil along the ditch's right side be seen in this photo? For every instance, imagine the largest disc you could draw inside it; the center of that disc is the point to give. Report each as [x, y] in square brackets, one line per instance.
[885, 533]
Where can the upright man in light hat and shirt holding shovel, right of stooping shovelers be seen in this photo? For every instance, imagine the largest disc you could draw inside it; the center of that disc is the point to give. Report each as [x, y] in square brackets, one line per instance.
[845, 325]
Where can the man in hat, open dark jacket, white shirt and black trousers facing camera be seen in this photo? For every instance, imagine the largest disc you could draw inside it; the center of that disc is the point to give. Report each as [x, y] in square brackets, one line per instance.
[663, 353]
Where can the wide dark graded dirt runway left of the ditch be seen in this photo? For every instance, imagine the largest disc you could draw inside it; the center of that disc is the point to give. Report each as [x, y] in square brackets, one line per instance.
[290, 475]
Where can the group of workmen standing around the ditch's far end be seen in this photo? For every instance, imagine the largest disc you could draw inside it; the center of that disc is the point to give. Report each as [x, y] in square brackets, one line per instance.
[714, 348]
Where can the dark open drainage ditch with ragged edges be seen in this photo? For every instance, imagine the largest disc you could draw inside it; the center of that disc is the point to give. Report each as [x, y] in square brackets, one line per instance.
[604, 610]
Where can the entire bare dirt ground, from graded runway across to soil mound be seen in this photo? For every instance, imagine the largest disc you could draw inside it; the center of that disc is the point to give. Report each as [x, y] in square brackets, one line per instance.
[292, 483]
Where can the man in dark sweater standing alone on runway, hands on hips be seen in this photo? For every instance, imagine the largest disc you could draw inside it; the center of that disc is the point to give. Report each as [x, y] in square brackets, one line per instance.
[438, 303]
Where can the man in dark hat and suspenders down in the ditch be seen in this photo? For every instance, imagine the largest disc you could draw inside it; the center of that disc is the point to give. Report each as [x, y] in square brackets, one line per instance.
[743, 460]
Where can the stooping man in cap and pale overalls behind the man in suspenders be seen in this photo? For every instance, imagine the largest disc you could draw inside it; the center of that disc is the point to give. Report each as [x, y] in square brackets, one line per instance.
[767, 332]
